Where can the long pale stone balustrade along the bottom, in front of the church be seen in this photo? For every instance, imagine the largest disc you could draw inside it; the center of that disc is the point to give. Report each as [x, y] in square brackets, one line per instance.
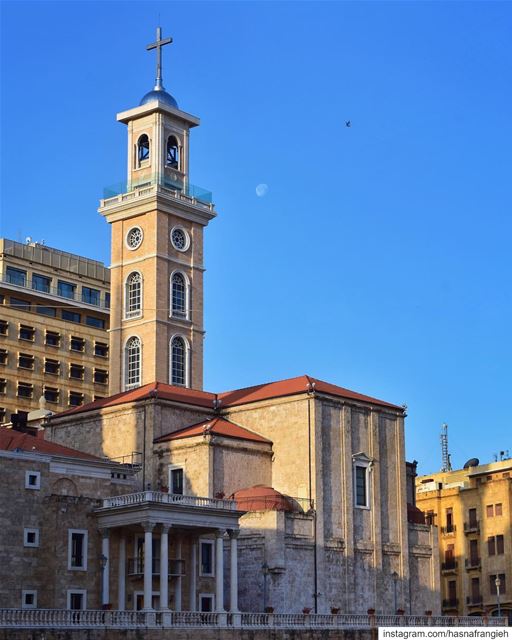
[90, 619]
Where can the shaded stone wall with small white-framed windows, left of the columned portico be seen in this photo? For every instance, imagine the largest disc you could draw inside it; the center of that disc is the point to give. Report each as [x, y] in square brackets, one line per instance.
[63, 502]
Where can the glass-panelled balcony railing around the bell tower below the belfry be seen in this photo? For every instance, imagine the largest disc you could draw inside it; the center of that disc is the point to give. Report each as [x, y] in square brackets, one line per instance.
[123, 191]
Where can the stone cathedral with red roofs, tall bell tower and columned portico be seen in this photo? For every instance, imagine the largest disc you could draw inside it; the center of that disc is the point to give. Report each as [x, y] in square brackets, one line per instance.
[293, 495]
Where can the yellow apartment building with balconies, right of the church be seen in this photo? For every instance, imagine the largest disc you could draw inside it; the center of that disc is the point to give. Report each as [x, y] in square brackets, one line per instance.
[472, 508]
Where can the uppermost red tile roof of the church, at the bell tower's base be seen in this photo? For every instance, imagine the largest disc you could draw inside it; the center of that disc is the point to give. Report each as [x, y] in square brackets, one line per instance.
[267, 391]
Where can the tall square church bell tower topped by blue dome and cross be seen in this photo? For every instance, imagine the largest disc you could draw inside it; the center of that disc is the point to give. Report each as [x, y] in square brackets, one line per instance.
[157, 219]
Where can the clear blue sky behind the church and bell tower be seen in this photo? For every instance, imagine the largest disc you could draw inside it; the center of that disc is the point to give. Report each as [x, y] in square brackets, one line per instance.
[379, 259]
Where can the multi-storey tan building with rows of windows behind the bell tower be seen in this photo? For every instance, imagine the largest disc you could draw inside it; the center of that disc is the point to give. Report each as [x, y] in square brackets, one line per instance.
[54, 318]
